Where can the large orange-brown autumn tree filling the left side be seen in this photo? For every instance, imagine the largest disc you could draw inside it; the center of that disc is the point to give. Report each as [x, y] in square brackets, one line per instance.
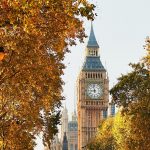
[35, 35]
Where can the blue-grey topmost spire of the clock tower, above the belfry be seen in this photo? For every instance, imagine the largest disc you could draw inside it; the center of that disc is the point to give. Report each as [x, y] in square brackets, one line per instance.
[92, 40]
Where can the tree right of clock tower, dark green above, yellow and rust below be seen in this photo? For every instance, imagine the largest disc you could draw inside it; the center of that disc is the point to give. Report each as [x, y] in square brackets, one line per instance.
[132, 95]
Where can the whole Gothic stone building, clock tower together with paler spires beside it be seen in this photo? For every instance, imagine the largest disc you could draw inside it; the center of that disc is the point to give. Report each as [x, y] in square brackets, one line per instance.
[92, 101]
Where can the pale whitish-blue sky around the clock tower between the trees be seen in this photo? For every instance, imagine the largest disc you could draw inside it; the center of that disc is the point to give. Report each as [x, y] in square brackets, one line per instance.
[120, 28]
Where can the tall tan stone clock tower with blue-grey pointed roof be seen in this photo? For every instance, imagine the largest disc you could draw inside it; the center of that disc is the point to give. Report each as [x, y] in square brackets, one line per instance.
[92, 93]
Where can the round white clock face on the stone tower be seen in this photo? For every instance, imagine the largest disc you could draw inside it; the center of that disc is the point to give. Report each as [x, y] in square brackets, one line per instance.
[94, 90]
